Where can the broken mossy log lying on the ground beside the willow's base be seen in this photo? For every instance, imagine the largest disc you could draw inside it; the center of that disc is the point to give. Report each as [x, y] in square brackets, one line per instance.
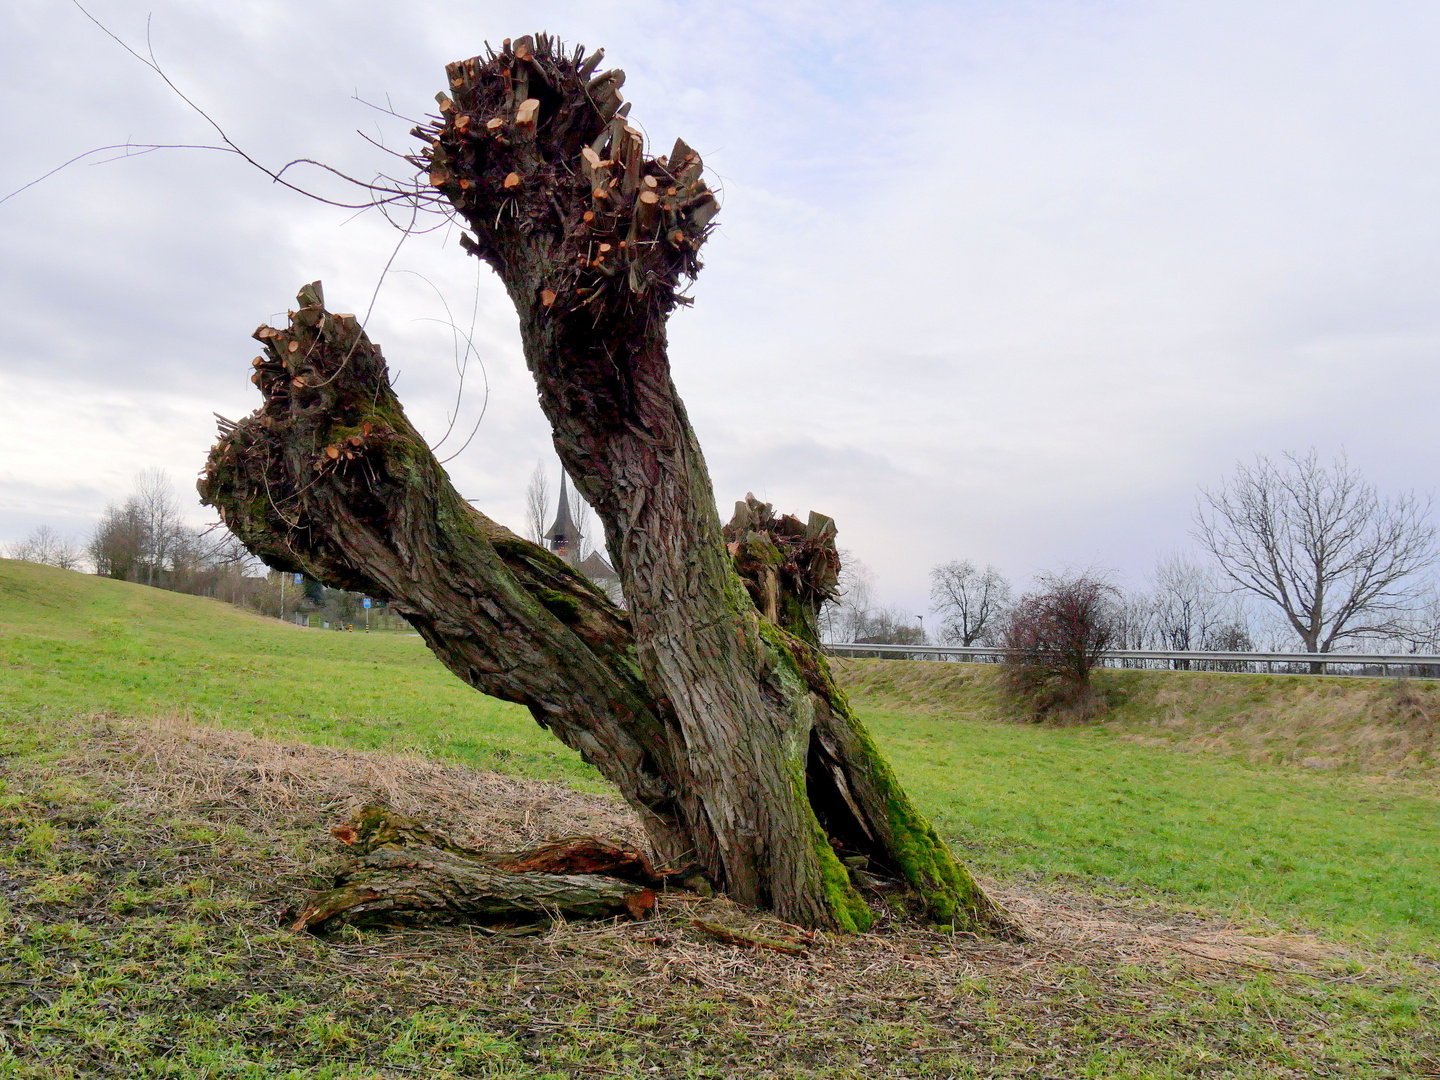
[407, 875]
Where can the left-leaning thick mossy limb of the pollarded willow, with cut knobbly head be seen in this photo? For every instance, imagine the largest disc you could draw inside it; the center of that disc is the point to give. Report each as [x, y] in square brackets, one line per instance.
[330, 479]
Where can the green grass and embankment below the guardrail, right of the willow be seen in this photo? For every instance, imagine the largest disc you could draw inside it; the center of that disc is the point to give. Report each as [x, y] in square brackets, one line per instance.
[1115, 801]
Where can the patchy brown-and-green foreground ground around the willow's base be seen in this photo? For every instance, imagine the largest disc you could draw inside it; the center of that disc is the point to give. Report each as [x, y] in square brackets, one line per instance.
[1110, 986]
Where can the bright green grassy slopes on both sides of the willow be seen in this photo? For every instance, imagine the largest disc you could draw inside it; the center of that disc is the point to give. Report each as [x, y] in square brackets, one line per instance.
[1327, 850]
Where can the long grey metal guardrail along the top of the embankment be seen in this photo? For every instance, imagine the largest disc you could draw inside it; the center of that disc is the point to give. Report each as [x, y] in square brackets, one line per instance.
[1290, 663]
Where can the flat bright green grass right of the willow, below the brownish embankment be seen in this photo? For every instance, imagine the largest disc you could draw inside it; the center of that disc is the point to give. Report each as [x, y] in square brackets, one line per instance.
[1304, 850]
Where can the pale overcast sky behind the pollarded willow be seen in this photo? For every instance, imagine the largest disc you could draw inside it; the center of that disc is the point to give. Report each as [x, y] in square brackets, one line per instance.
[993, 282]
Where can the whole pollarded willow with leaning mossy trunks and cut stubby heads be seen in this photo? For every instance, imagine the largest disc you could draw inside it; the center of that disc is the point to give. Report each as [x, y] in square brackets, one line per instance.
[706, 701]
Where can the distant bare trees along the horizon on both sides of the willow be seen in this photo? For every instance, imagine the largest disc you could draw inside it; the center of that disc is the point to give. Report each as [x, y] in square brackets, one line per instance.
[1297, 555]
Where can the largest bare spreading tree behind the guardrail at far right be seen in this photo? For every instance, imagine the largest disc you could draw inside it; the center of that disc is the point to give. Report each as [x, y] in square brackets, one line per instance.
[1320, 544]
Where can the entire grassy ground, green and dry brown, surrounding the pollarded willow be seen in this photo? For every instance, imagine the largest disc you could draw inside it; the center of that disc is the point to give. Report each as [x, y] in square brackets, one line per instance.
[142, 868]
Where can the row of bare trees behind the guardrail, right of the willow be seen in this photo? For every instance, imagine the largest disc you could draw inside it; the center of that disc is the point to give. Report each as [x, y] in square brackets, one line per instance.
[1297, 554]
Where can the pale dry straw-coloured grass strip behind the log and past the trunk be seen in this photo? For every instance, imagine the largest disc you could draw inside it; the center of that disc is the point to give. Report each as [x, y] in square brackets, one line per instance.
[280, 790]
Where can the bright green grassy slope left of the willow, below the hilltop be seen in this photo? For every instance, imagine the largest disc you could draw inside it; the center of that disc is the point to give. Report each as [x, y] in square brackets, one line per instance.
[74, 644]
